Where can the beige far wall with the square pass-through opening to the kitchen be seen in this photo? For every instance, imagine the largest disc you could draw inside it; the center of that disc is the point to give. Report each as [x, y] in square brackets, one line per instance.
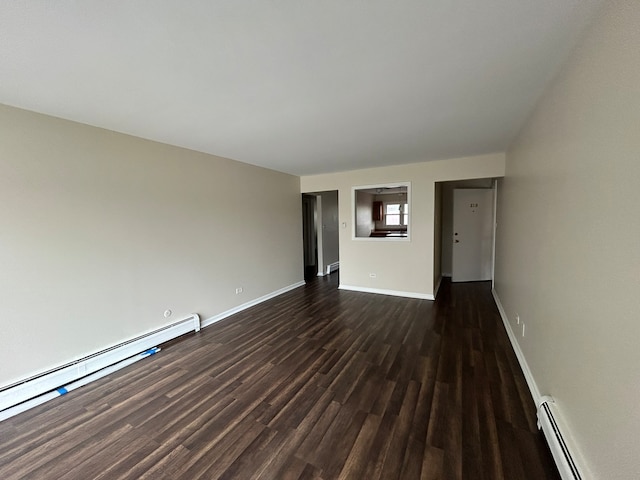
[400, 266]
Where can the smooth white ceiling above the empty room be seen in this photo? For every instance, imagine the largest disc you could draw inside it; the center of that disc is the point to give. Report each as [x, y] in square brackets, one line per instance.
[298, 86]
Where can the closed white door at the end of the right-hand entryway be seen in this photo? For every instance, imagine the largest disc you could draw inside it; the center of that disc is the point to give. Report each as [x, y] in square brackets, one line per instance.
[472, 234]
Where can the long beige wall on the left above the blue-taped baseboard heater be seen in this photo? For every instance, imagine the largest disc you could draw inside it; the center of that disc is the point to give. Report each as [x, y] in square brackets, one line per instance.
[101, 233]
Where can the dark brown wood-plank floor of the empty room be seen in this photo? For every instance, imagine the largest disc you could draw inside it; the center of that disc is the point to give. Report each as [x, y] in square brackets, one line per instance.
[315, 384]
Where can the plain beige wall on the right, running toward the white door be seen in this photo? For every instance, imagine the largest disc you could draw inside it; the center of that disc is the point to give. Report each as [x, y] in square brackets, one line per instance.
[568, 249]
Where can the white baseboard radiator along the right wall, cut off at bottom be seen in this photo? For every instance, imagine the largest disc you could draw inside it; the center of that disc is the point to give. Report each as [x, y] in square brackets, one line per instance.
[557, 444]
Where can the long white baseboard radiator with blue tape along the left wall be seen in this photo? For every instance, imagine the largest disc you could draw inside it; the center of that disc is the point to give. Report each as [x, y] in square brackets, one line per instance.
[35, 390]
